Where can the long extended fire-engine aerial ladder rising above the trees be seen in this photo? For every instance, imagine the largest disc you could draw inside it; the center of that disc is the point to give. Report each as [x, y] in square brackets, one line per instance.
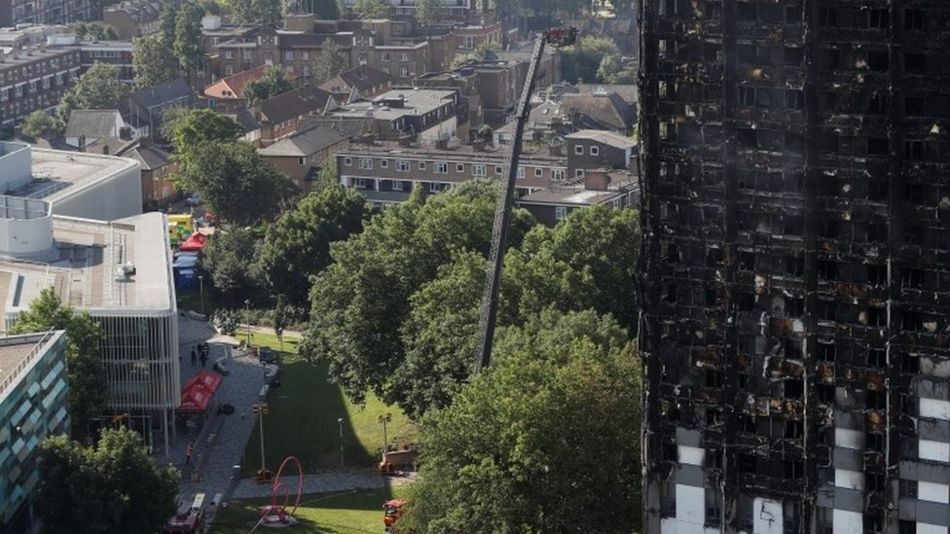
[556, 37]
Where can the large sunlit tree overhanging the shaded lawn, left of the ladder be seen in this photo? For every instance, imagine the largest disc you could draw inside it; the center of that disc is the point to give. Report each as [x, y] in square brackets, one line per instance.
[359, 301]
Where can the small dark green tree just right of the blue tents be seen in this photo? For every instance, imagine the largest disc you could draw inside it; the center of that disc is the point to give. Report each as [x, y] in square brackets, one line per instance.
[228, 259]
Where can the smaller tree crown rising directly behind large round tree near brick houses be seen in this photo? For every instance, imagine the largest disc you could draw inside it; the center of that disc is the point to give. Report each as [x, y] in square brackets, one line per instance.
[188, 129]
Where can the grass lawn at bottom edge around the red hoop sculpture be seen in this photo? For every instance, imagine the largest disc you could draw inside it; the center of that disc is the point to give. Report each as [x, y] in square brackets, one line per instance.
[347, 512]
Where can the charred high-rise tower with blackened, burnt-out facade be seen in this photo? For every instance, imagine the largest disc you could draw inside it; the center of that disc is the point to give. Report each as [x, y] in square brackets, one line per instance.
[796, 293]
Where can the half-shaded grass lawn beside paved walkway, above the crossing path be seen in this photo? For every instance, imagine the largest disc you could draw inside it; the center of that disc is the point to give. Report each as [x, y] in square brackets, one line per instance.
[302, 419]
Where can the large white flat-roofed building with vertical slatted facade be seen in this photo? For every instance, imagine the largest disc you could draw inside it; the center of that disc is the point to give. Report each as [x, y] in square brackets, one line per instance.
[119, 270]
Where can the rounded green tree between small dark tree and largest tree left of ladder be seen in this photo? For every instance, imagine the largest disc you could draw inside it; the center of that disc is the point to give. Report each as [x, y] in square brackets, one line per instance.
[298, 244]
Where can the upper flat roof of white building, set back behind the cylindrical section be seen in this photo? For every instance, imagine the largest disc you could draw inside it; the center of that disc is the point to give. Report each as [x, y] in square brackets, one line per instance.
[60, 174]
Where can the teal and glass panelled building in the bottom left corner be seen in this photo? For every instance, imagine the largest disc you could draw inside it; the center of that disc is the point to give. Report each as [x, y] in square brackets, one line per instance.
[32, 406]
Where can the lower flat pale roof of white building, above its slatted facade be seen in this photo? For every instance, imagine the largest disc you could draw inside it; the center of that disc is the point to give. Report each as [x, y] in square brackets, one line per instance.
[83, 267]
